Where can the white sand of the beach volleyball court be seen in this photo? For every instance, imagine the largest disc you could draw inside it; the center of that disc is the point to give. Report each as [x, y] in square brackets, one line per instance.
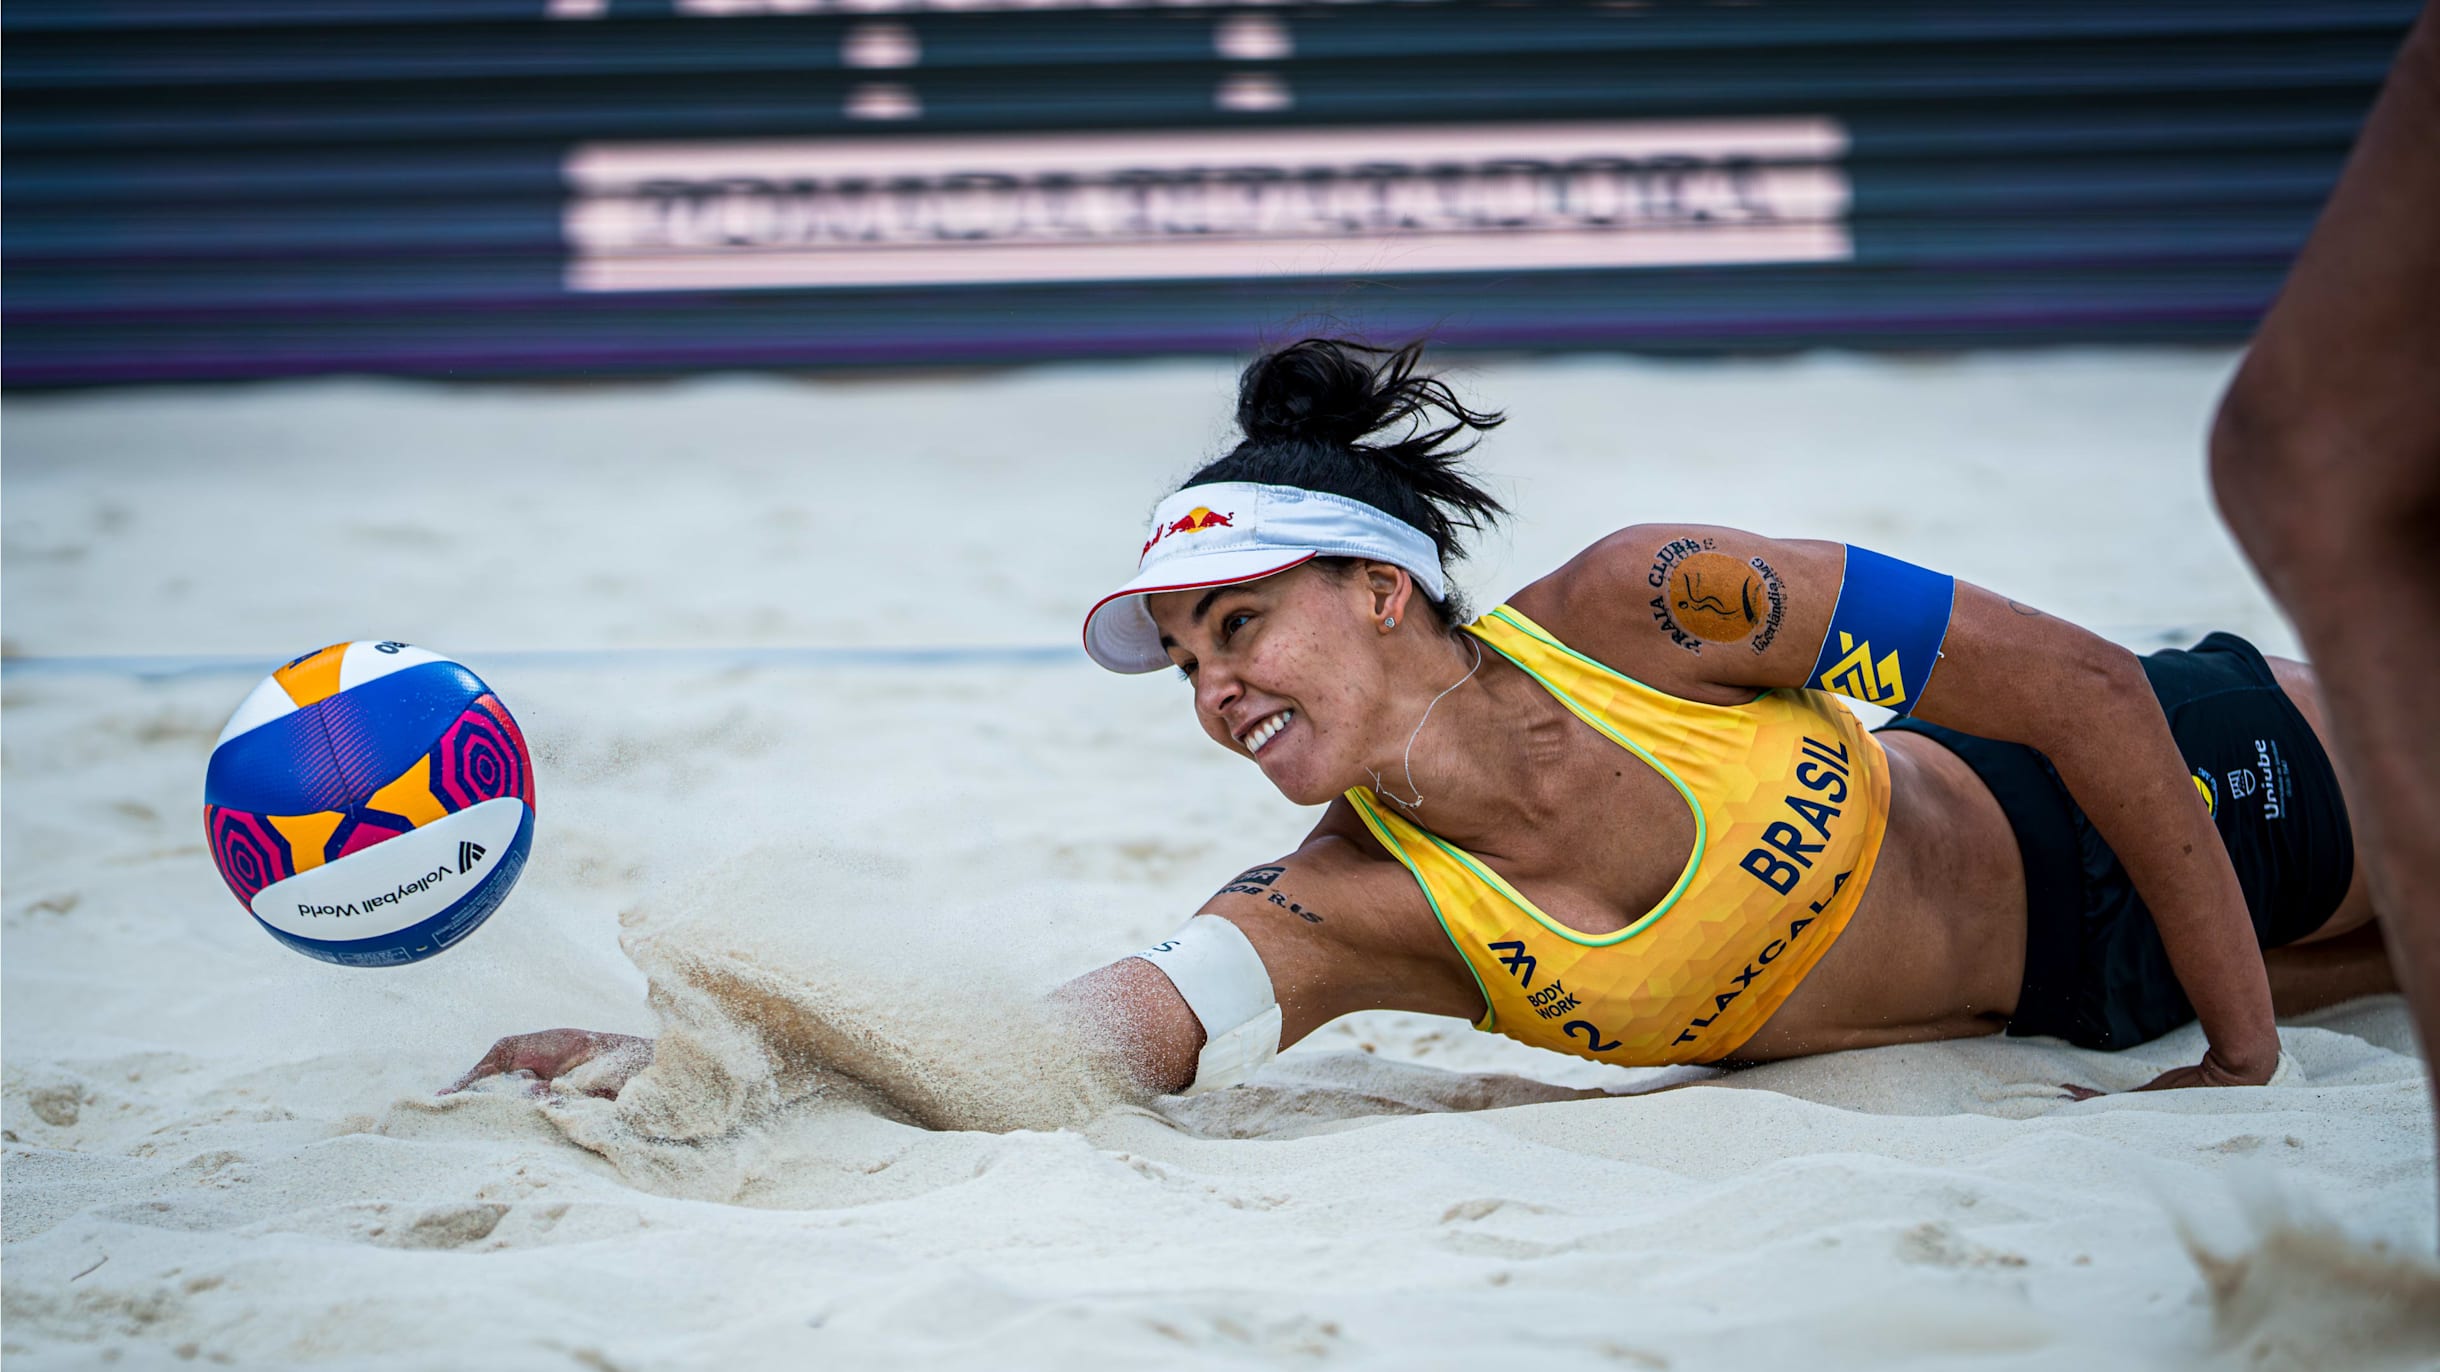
[841, 885]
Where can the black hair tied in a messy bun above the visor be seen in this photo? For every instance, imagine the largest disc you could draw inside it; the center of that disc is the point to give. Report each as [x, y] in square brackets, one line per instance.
[1309, 416]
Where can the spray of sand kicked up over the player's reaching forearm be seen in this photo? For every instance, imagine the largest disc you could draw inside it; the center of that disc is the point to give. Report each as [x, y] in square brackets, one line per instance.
[802, 1002]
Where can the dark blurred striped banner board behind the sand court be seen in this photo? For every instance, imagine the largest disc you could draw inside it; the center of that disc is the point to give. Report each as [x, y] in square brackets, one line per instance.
[226, 189]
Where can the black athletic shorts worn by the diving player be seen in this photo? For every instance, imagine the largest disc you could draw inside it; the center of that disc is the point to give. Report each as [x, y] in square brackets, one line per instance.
[2097, 973]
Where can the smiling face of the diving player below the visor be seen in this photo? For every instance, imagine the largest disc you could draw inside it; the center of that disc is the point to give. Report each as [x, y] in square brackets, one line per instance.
[1287, 670]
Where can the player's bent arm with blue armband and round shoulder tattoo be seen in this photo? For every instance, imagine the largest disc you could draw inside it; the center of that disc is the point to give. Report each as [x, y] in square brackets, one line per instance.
[1721, 612]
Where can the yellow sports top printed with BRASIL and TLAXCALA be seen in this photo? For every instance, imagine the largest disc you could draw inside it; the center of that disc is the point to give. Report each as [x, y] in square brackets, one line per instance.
[1790, 802]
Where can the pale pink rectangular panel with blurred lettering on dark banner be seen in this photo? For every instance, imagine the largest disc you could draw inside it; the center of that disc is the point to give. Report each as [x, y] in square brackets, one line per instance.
[938, 211]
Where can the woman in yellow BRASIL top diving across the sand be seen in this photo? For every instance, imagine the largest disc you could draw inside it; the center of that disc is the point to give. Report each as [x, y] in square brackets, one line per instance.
[1626, 812]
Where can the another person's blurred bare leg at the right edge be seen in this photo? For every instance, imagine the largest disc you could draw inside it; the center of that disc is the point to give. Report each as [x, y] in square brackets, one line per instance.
[2327, 460]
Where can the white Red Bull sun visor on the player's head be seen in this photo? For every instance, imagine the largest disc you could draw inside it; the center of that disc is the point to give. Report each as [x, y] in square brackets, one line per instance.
[1238, 531]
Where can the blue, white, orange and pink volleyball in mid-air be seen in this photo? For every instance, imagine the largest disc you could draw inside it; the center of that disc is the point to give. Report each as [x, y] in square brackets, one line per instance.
[370, 804]
